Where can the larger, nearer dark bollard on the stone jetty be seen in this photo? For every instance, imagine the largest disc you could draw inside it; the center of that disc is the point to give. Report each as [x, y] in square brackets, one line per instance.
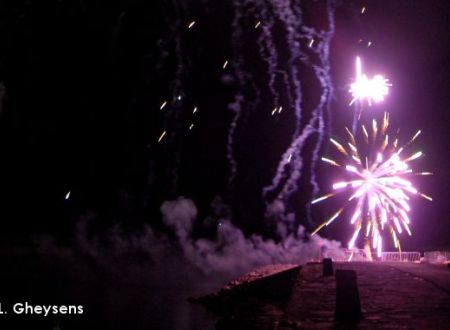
[348, 305]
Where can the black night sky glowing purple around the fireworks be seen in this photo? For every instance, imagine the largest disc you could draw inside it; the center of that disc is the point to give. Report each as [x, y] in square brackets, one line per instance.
[82, 83]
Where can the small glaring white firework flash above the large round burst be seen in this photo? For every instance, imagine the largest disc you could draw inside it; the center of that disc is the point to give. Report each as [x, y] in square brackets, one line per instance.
[365, 89]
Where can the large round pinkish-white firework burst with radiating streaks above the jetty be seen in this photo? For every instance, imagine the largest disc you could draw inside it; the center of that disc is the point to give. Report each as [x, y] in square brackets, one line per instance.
[378, 187]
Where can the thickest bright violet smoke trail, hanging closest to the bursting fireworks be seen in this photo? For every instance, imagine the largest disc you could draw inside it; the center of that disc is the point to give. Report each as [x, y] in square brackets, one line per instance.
[291, 164]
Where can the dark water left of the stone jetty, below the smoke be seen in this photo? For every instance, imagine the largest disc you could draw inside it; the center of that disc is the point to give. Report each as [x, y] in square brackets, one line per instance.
[121, 293]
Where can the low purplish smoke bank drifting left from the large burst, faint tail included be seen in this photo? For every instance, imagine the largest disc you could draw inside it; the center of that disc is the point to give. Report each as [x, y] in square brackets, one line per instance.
[230, 254]
